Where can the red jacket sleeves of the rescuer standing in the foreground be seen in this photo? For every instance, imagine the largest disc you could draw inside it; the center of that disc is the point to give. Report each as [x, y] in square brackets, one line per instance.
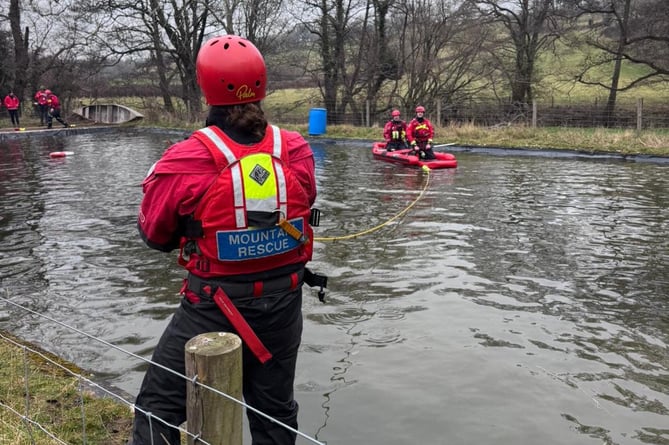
[176, 183]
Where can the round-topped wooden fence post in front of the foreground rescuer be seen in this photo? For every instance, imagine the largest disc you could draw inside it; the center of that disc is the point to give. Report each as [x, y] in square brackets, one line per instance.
[216, 359]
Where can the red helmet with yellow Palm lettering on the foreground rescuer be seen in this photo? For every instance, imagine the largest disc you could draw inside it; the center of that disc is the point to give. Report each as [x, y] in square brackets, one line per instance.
[230, 70]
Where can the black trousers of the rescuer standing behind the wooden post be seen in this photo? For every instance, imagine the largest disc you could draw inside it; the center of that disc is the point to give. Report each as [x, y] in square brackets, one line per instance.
[277, 321]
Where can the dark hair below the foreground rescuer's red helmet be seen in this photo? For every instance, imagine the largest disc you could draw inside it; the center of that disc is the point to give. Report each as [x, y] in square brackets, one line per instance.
[245, 123]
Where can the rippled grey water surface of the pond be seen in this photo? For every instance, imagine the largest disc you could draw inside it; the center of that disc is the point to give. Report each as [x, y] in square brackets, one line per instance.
[520, 301]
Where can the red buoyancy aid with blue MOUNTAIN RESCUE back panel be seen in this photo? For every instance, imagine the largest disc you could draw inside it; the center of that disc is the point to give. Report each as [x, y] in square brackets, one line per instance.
[238, 216]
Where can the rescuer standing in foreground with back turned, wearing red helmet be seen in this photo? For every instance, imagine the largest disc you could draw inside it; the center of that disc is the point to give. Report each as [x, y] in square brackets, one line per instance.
[223, 197]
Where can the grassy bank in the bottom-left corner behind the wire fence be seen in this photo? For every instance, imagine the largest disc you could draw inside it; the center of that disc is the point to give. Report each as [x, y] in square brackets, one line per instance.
[45, 389]
